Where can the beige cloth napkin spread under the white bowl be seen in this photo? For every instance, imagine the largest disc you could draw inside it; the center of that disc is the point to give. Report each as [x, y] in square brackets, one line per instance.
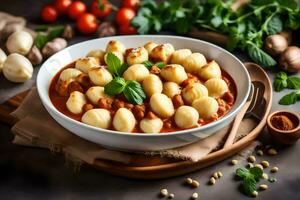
[37, 128]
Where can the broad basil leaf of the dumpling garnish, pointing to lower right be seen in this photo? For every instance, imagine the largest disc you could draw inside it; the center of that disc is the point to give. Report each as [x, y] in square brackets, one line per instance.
[134, 93]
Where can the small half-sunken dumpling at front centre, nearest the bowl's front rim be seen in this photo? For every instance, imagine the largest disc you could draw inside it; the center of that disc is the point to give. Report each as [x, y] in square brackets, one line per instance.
[151, 125]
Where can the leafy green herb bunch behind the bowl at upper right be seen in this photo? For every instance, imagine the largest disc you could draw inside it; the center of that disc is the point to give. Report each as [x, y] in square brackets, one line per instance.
[246, 28]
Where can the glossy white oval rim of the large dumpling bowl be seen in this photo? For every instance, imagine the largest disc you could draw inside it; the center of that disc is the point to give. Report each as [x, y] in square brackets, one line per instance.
[222, 119]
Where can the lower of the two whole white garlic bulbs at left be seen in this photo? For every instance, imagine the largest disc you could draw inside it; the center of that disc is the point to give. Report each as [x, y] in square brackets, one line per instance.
[17, 68]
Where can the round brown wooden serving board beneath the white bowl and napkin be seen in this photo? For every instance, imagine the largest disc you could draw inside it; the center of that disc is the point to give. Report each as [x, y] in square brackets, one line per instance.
[155, 167]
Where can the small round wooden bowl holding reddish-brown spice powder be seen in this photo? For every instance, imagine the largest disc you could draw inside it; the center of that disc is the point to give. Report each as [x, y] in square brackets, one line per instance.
[285, 137]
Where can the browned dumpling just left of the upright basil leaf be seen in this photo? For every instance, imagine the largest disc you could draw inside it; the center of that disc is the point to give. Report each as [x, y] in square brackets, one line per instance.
[100, 76]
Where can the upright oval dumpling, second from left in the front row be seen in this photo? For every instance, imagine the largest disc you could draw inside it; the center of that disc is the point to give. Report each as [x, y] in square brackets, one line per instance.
[124, 120]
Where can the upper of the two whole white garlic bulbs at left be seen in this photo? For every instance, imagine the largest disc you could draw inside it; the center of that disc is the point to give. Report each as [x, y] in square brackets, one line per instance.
[19, 42]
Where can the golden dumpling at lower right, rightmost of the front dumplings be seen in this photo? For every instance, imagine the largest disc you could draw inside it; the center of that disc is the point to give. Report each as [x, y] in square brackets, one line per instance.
[206, 107]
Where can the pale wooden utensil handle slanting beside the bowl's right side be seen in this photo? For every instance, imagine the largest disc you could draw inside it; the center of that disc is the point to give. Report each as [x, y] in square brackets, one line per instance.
[236, 123]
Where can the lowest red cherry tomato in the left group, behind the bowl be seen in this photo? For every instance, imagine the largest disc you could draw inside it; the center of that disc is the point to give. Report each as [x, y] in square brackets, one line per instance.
[87, 23]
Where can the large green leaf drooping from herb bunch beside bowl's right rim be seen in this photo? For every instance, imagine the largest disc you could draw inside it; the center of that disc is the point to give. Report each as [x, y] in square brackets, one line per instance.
[260, 57]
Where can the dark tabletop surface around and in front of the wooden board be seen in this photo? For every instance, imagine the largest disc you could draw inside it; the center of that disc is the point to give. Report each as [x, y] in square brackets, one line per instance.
[29, 173]
